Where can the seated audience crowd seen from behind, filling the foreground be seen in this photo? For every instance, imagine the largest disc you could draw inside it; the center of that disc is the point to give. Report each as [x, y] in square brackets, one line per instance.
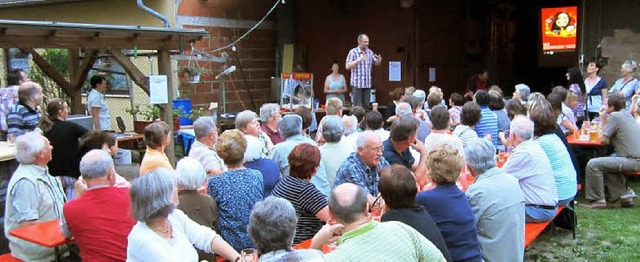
[269, 184]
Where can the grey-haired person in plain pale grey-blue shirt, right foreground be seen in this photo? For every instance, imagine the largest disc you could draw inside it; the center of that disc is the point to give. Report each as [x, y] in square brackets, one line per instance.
[497, 203]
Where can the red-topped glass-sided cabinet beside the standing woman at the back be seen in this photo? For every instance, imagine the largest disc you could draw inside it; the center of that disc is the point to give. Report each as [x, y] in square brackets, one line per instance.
[297, 90]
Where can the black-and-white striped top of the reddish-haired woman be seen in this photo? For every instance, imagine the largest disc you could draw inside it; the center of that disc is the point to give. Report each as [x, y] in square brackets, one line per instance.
[307, 201]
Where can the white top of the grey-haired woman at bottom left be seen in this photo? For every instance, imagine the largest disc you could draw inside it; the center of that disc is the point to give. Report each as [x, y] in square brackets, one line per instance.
[146, 245]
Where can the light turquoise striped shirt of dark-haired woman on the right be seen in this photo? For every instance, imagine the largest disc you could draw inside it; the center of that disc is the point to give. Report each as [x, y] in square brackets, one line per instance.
[563, 171]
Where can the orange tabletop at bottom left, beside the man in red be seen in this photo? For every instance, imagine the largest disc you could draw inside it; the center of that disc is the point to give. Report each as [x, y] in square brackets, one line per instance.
[46, 234]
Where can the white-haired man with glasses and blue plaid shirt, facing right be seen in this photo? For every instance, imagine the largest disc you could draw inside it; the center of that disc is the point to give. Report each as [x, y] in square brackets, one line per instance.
[363, 167]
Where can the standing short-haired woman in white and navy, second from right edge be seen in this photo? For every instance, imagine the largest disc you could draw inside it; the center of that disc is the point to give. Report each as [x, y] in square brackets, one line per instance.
[596, 89]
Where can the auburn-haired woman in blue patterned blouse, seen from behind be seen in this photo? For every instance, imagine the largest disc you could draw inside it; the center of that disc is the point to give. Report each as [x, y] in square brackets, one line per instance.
[235, 191]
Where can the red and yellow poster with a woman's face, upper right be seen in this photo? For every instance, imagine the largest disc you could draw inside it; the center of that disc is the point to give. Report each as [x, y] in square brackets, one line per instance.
[559, 28]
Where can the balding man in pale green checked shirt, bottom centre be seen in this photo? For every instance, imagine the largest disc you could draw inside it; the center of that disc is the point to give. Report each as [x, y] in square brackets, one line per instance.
[368, 239]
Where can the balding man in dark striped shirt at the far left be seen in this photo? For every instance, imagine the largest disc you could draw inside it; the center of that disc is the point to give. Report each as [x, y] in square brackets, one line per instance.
[25, 116]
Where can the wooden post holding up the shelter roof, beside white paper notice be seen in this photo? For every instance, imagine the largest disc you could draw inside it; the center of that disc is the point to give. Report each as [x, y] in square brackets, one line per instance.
[164, 68]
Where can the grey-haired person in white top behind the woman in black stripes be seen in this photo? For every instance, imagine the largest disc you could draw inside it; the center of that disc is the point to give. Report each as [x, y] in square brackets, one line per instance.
[334, 152]
